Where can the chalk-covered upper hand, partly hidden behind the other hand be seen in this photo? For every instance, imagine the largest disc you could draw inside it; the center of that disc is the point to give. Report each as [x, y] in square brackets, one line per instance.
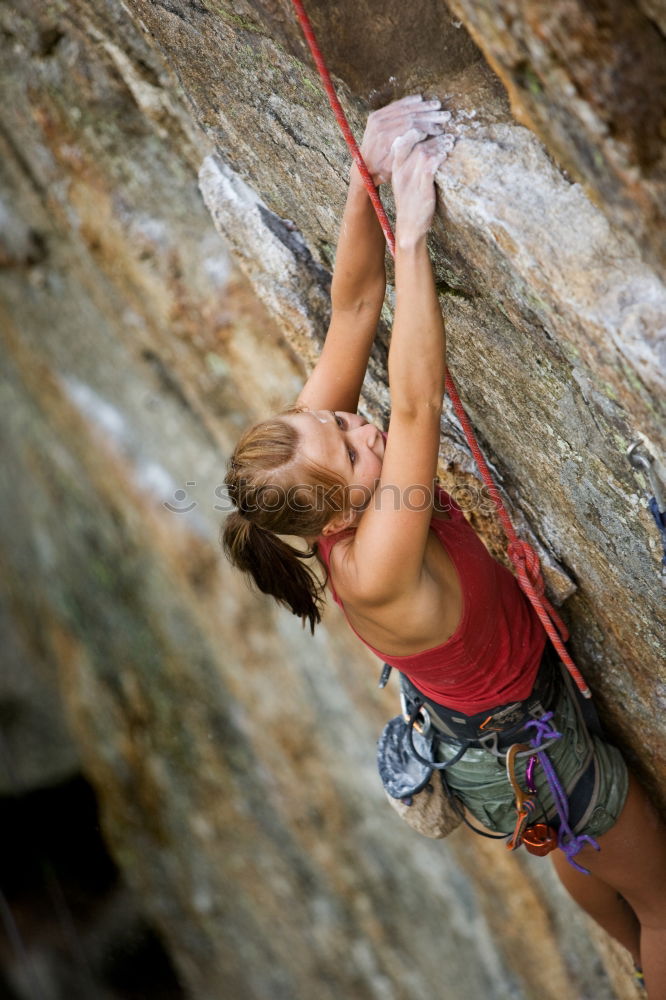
[410, 116]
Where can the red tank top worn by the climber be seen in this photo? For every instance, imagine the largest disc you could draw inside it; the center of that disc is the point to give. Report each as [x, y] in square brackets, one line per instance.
[493, 656]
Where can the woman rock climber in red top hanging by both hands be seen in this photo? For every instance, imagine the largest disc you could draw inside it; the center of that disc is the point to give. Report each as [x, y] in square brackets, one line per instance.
[410, 574]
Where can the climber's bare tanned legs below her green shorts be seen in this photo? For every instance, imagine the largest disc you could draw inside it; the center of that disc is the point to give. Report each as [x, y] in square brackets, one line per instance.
[632, 862]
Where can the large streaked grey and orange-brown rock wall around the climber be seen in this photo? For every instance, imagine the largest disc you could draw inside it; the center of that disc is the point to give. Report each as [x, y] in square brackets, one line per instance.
[232, 754]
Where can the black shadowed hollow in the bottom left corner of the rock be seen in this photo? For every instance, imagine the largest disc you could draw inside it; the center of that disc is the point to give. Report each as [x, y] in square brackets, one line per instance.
[72, 929]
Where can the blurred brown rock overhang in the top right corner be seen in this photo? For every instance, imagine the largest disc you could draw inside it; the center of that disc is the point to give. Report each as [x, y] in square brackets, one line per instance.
[590, 79]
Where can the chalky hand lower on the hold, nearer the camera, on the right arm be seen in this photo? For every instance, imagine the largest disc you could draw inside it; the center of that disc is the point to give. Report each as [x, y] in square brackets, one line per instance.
[415, 164]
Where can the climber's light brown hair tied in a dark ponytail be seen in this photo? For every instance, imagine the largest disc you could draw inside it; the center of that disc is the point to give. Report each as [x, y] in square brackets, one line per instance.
[276, 495]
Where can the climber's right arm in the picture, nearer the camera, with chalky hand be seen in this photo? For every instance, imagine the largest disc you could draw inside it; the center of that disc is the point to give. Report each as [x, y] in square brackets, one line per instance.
[387, 558]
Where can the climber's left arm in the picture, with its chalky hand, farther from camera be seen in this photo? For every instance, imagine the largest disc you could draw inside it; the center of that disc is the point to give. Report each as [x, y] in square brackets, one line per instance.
[359, 277]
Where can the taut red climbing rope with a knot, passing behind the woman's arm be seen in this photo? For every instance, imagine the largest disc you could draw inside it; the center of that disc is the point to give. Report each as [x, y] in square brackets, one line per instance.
[523, 557]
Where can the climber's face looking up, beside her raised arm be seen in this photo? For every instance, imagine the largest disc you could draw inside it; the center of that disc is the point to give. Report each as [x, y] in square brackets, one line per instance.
[346, 444]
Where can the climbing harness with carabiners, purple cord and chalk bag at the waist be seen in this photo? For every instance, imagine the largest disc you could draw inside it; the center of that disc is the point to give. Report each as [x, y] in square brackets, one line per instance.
[521, 733]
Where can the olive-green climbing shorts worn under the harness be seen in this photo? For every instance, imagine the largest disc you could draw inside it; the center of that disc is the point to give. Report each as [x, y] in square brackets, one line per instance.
[592, 772]
